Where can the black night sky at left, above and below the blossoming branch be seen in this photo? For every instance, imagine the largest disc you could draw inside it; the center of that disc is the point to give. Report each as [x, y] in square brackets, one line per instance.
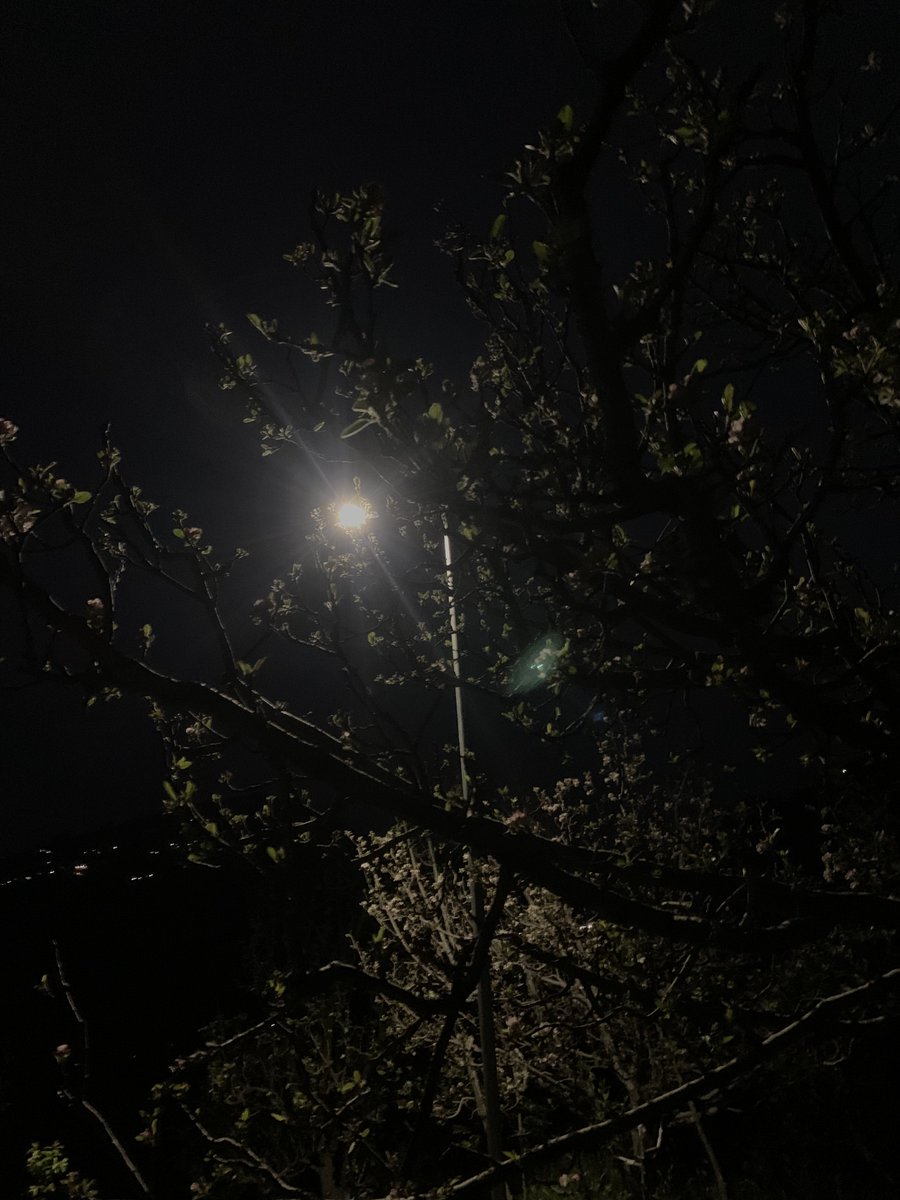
[159, 159]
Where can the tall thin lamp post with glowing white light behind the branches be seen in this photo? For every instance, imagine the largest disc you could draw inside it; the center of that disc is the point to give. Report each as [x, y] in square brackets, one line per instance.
[352, 517]
